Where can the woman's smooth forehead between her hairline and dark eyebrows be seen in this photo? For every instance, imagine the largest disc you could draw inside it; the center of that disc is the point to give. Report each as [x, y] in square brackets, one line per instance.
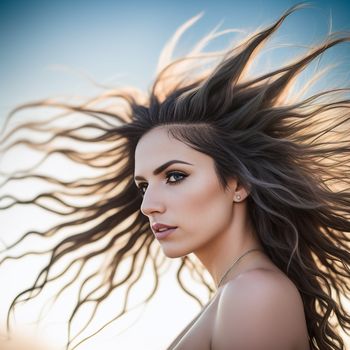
[157, 147]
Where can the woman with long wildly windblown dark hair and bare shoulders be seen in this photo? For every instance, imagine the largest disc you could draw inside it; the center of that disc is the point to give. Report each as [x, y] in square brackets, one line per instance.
[261, 198]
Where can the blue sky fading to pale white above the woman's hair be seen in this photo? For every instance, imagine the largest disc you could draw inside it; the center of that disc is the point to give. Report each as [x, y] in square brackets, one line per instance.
[119, 41]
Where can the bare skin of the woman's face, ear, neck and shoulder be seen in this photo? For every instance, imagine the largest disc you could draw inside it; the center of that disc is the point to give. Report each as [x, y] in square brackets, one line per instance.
[215, 226]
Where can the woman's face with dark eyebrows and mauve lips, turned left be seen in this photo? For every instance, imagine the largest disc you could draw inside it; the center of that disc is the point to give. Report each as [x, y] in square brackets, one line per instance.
[185, 195]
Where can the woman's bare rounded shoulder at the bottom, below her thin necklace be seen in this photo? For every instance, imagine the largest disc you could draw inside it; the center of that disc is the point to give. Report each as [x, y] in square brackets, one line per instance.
[260, 309]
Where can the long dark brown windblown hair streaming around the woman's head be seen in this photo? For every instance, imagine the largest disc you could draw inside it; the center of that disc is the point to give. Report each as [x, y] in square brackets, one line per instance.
[292, 152]
